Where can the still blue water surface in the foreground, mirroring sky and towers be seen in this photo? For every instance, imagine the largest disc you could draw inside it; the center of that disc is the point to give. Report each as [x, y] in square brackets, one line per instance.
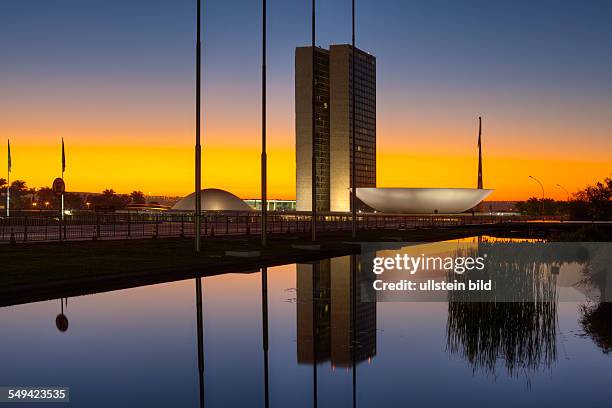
[139, 347]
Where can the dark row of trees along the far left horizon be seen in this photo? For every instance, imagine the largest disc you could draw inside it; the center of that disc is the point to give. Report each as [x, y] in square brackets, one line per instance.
[26, 198]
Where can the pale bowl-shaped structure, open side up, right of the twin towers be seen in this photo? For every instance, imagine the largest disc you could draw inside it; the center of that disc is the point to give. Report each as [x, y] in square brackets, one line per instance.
[422, 200]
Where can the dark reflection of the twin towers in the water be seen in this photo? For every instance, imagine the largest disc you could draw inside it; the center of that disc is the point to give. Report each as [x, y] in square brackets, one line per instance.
[331, 313]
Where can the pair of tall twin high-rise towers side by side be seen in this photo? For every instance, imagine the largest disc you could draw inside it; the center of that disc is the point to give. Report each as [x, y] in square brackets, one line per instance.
[333, 117]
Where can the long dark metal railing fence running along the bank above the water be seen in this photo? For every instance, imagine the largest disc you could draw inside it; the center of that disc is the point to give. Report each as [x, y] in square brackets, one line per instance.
[92, 226]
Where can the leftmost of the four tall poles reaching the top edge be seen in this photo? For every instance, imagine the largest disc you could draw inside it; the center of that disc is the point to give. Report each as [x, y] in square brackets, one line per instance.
[198, 147]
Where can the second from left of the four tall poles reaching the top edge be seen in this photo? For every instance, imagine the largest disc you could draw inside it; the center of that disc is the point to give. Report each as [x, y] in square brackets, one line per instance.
[264, 164]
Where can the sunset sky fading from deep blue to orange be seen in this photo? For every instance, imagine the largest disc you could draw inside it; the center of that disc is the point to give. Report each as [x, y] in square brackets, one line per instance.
[115, 79]
